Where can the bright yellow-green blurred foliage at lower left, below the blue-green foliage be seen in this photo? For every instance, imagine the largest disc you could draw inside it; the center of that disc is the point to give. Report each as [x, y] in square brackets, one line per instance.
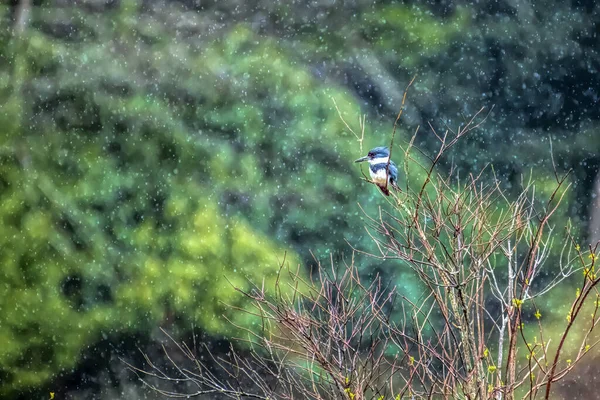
[66, 279]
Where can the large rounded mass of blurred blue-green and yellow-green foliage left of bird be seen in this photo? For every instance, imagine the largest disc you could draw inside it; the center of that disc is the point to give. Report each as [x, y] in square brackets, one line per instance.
[141, 181]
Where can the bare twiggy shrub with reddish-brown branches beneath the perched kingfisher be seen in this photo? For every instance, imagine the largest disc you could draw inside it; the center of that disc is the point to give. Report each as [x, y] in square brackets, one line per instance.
[476, 332]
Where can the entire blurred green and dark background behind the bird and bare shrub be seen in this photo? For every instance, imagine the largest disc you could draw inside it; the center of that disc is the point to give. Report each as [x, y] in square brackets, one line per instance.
[152, 153]
